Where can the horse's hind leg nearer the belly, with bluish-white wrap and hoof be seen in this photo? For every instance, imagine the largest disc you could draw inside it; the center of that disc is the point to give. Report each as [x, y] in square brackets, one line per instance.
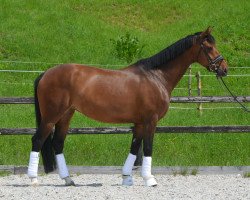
[61, 129]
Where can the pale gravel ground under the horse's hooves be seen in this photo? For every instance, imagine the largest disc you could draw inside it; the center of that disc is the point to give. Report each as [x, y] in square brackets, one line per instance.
[106, 186]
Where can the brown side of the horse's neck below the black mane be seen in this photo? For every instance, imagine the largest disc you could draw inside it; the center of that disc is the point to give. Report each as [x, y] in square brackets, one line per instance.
[175, 69]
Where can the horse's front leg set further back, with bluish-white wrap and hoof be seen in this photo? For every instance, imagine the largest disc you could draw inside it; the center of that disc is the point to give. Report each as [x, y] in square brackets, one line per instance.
[129, 163]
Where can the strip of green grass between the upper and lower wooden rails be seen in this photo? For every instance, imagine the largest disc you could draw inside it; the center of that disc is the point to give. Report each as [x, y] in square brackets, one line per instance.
[23, 116]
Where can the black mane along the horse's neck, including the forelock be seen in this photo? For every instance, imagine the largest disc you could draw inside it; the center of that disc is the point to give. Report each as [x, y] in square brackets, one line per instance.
[171, 52]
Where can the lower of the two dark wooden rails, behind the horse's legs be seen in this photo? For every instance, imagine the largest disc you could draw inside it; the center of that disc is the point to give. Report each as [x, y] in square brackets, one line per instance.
[126, 130]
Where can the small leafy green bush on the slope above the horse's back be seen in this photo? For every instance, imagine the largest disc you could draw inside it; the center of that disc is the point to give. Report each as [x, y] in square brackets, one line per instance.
[127, 47]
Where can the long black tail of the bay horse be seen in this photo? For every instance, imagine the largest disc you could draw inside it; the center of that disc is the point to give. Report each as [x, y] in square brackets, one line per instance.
[47, 151]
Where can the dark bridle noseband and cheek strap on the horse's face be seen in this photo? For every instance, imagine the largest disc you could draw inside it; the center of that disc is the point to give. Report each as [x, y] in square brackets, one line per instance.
[213, 64]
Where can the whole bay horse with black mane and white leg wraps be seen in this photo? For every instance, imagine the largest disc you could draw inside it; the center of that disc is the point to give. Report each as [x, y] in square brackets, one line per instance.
[138, 94]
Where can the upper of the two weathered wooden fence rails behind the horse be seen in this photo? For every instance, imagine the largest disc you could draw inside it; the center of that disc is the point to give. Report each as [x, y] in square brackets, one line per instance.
[189, 99]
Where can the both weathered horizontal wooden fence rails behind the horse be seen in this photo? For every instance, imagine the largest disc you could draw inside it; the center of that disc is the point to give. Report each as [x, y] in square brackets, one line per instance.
[125, 130]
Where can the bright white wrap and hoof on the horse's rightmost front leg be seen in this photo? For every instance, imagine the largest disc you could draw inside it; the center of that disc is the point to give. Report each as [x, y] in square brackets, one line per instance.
[146, 172]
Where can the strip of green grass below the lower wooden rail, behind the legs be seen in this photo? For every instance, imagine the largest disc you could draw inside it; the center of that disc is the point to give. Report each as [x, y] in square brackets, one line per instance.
[169, 149]
